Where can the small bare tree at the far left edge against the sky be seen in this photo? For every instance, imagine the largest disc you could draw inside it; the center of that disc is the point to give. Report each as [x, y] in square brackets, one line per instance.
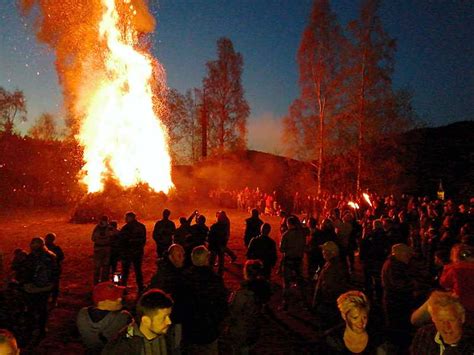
[12, 108]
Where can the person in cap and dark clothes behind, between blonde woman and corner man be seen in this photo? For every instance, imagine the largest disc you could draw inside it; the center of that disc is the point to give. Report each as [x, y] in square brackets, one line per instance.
[398, 294]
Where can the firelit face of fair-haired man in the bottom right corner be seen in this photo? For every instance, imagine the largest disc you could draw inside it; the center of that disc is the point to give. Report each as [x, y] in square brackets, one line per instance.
[448, 321]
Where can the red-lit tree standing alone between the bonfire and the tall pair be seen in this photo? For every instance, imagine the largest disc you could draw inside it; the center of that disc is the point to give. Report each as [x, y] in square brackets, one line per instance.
[226, 108]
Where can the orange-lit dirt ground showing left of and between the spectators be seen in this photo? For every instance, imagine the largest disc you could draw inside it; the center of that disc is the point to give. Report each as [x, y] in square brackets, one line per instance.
[290, 333]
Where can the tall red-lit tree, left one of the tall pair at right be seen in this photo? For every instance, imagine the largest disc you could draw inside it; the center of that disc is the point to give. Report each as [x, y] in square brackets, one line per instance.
[321, 73]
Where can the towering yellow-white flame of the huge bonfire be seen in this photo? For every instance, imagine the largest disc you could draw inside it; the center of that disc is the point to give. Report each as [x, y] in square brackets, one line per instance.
[121, 135]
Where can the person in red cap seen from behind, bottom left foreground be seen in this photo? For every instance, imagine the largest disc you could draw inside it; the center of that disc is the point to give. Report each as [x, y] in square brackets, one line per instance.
[101, 322]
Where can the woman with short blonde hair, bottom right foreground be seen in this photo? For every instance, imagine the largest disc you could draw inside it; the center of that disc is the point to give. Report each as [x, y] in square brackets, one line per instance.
[354, 338]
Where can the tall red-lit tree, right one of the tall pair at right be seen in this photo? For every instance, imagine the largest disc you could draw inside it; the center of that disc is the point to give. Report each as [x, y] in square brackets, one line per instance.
[371, 69]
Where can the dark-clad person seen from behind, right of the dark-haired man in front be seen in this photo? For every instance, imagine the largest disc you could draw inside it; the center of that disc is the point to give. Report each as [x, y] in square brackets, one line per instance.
[206, 305]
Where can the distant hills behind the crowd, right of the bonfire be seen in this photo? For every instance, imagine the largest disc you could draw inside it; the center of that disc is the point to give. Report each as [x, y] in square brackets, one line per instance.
[426, 156]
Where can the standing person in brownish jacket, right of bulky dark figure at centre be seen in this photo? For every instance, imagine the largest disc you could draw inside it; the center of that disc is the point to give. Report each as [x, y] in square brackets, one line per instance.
[292, 246]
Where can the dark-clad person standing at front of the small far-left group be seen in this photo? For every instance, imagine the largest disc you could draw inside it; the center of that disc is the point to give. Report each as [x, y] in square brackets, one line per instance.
[42, 275]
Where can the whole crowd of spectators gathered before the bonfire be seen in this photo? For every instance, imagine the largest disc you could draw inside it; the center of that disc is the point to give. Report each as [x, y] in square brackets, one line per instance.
[409, 260]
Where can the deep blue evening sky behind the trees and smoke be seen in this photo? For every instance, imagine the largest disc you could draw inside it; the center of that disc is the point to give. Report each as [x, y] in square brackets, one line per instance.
[434, 57]
